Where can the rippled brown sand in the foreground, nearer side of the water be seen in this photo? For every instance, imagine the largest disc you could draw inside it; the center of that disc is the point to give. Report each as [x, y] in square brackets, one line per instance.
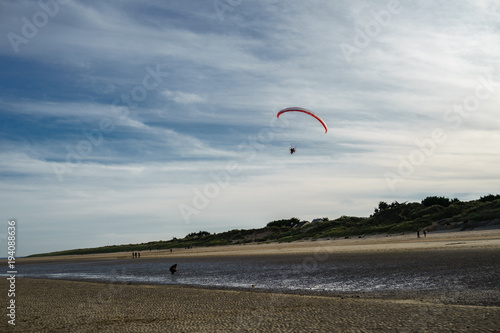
[69, 306]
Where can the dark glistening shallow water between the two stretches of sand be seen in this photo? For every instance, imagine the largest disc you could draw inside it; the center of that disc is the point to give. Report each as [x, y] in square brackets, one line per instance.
[438, 271]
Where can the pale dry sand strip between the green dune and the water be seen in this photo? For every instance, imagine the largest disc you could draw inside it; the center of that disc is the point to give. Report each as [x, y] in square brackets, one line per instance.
[370, 243]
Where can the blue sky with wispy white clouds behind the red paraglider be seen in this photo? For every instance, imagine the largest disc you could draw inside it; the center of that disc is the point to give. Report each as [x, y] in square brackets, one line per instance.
[134, 121]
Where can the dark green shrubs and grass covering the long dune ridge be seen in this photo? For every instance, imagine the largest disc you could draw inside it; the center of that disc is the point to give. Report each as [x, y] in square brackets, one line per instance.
[432, 213]
